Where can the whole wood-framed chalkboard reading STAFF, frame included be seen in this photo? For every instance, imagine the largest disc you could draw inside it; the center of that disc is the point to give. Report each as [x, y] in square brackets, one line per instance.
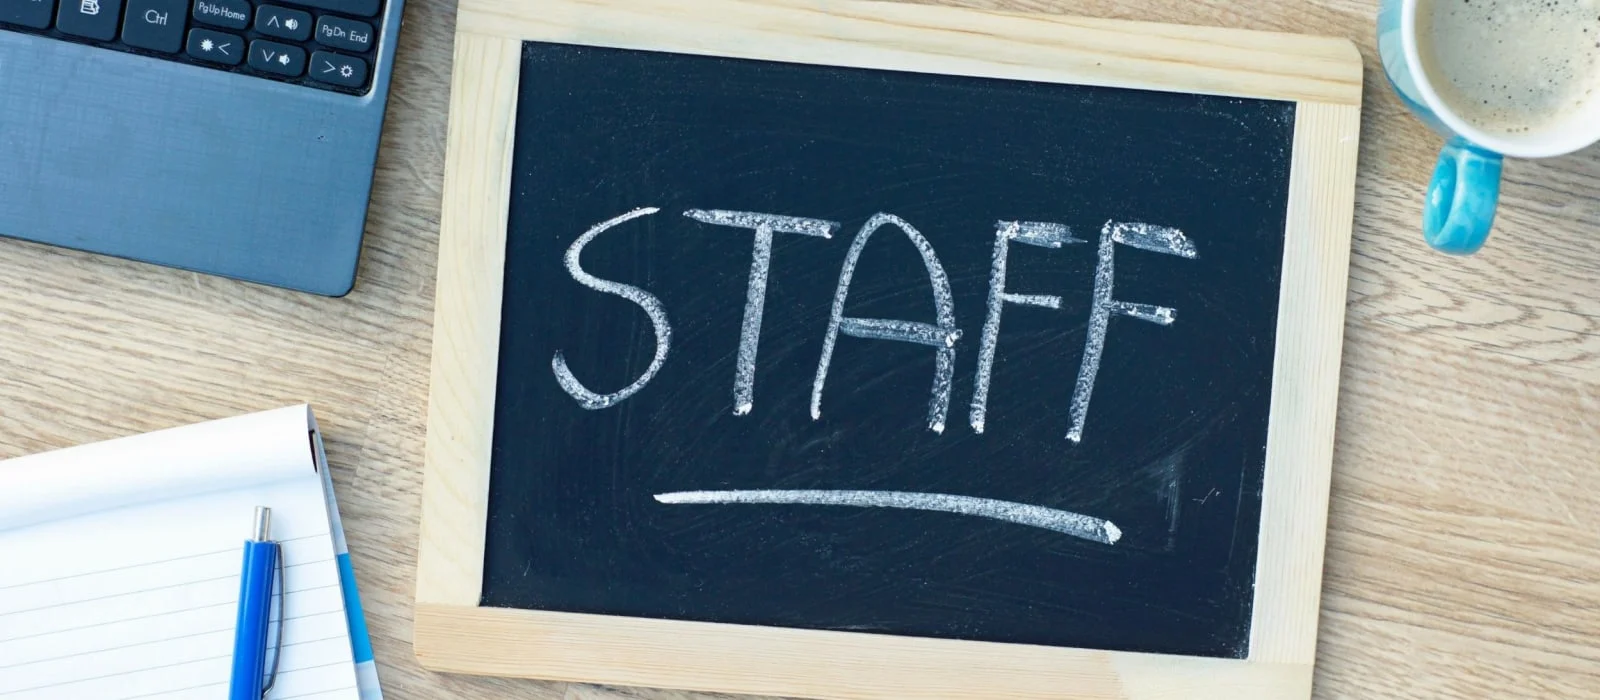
[631, 482]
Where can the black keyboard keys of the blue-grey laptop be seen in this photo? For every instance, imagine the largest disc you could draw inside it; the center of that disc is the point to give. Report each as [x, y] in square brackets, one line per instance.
[322, 44]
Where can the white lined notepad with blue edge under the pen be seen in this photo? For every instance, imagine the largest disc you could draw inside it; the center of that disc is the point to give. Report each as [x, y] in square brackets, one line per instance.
[121, 562]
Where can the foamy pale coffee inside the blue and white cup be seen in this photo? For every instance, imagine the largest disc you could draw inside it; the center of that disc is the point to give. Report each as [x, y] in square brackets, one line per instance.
[1513, 66]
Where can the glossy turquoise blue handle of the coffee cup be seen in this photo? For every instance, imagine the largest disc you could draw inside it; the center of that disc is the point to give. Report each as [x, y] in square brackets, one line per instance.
[1460, 209]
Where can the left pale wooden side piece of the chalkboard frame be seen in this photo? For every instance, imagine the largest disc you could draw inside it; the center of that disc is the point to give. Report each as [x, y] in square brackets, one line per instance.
[468, 319]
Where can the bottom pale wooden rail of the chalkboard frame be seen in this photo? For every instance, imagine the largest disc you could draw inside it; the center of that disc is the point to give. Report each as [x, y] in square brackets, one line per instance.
[825, 664]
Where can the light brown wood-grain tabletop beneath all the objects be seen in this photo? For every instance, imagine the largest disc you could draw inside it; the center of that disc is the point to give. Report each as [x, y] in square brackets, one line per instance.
[1465, 530]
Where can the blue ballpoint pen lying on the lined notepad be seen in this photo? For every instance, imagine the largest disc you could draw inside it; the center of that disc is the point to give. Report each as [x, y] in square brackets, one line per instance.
[250, 680]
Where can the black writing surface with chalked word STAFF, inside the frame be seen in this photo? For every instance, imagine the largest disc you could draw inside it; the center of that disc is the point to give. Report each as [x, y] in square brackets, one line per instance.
[662, 447]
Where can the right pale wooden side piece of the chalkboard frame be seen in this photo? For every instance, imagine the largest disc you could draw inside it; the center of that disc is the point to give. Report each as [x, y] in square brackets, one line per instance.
[1300, 436]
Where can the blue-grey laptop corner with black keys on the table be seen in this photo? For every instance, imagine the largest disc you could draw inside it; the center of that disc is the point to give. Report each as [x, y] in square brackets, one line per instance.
[225, 137]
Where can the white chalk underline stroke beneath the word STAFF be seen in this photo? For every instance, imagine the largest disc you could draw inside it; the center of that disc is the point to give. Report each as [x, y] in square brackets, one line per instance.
[1076, 525]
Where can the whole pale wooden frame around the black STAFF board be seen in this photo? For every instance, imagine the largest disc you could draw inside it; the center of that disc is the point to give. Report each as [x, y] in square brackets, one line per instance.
[455, 634]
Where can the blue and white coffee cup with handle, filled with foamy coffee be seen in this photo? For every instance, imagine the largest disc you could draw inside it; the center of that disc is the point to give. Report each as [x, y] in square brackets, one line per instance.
[1497, 79]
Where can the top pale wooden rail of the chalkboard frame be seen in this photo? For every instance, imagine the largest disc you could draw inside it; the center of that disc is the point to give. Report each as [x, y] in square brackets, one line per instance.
[948, 41]
